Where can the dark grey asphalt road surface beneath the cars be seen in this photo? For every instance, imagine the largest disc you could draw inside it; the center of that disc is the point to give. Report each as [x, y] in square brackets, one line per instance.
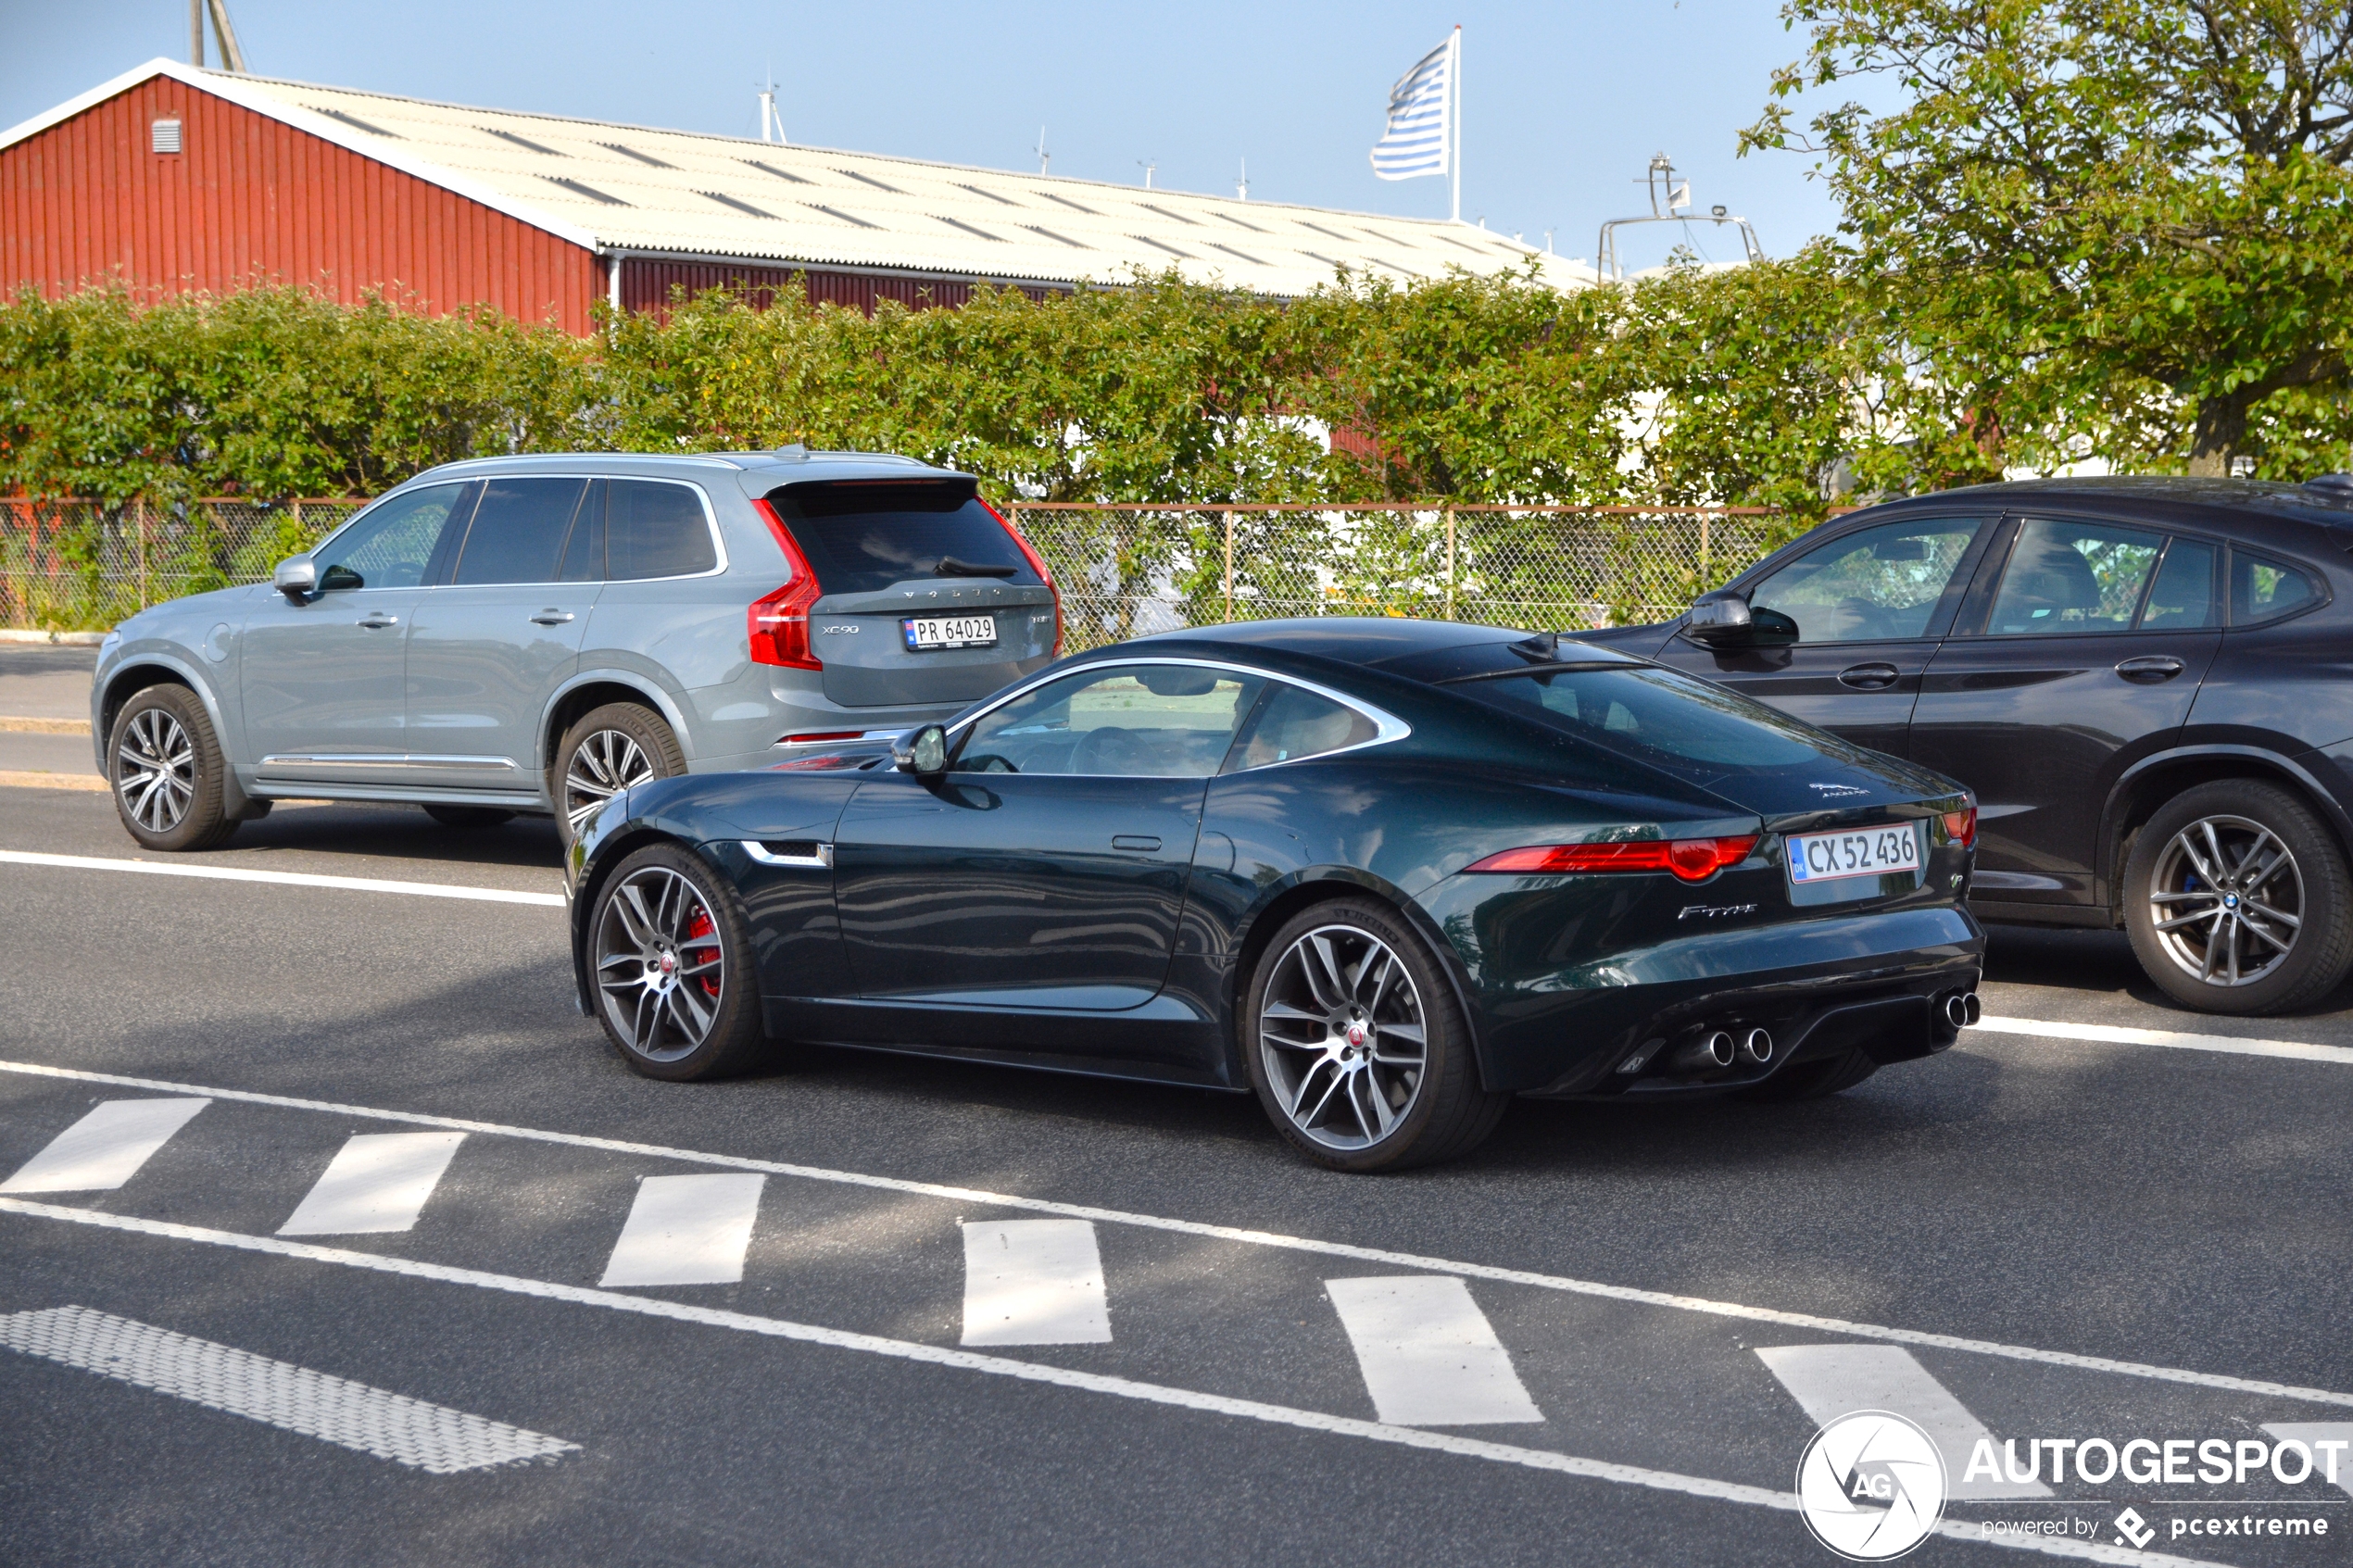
[2067, 1238]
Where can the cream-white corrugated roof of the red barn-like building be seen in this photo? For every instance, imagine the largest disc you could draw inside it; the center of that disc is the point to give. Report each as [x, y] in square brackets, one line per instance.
[641, 189]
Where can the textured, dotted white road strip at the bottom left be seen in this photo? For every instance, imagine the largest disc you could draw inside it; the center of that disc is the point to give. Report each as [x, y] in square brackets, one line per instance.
[276, 1393]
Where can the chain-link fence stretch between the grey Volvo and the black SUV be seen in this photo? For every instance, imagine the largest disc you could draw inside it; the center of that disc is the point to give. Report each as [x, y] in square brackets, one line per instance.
[1133, 570]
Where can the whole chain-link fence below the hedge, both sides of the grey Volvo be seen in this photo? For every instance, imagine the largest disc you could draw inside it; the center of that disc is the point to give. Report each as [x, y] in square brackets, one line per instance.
[1124, 570]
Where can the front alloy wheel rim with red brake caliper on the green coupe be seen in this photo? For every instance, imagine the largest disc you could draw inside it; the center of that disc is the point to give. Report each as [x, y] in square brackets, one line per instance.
[660, 965]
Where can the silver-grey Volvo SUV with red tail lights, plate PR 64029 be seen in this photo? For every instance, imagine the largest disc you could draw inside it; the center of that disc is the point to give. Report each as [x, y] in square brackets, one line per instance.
[540, 634]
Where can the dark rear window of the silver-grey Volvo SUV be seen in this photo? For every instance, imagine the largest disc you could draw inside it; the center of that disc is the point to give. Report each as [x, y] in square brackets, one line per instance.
[872, 535]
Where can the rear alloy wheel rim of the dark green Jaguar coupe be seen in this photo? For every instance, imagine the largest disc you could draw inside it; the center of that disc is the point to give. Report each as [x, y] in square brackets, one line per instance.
[1342, 1038]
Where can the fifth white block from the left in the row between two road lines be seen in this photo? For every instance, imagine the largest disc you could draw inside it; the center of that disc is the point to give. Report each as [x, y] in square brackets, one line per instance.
[1429, 1355]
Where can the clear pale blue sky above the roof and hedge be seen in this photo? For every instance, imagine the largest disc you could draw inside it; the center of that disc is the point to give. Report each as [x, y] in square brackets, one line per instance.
[1564, 105]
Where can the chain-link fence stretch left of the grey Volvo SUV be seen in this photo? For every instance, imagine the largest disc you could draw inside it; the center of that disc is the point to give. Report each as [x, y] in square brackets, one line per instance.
[84, 565]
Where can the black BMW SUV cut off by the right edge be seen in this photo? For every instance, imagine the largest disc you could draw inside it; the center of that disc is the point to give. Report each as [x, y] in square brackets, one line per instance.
[2147, 683]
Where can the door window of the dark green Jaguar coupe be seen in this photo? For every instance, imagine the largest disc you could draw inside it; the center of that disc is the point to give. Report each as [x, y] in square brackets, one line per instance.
[1128, 721]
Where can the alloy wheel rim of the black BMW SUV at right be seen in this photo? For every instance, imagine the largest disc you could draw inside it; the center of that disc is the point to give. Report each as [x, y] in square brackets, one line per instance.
[2227, 902]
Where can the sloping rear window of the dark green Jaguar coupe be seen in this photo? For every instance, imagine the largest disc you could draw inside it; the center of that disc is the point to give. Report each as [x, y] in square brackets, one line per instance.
[1667, 721]
